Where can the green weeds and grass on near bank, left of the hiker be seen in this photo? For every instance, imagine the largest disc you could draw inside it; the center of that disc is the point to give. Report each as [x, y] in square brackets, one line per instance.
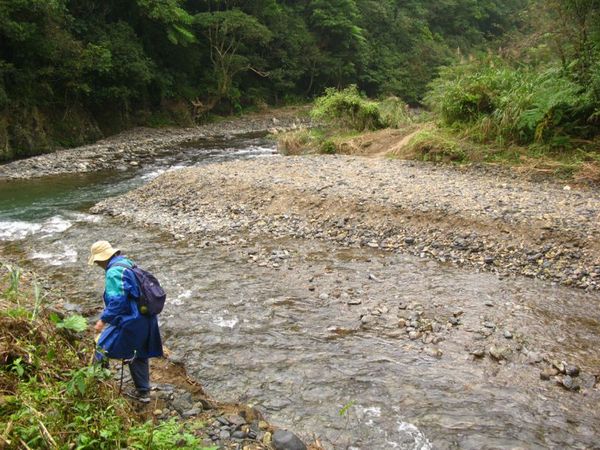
[53, 396]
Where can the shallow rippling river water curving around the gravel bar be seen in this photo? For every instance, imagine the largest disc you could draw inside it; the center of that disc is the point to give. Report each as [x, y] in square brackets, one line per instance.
[277, 324]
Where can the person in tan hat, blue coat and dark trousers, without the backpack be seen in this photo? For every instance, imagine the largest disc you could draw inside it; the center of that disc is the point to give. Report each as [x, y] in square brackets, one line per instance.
[125, 333]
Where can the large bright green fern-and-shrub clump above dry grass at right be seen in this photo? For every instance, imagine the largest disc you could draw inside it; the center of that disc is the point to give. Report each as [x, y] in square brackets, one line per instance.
[512, 105]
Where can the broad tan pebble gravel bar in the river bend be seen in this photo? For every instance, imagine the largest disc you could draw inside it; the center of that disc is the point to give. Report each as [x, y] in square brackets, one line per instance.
[488, 222]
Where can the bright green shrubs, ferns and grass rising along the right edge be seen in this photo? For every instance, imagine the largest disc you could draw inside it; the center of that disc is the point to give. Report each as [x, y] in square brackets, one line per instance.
[537, 104]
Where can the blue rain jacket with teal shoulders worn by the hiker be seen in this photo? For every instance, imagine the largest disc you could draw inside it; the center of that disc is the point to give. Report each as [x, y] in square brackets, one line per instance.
[128, 332]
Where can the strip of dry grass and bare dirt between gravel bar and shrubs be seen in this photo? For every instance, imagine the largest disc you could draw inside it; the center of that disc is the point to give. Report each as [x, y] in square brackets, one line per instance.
[427, 141]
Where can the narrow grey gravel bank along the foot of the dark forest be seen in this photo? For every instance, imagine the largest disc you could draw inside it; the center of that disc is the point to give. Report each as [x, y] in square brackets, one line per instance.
[133, 148]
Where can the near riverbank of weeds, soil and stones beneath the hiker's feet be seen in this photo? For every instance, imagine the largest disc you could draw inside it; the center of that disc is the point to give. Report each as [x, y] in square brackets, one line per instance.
[44, 353]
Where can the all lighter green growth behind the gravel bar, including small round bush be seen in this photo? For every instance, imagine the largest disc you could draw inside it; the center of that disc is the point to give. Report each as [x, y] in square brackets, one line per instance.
[535, 103]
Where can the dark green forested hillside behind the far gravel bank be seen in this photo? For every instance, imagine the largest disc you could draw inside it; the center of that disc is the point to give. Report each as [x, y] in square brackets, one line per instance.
[74, 70]
